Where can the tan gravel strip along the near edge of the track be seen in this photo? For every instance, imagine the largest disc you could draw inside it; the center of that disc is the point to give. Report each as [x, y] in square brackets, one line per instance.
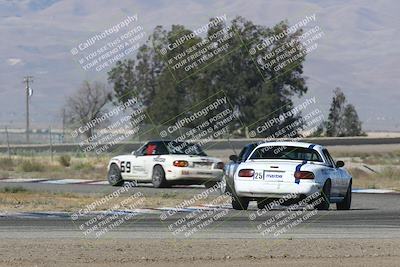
[199, 252]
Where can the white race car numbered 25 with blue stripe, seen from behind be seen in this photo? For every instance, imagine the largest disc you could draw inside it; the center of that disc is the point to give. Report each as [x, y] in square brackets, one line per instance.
[273, 170]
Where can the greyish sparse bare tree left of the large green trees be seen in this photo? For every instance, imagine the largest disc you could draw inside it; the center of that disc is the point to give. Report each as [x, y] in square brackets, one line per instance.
[86, 105]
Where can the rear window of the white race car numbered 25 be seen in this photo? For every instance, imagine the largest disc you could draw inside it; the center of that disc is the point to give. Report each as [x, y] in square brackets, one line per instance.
[287, 153]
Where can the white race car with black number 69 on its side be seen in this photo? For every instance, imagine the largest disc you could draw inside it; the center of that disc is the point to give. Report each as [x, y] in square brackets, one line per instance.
[165, 163]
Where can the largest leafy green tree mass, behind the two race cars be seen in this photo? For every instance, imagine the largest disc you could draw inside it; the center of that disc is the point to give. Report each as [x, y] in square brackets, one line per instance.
[253, 93]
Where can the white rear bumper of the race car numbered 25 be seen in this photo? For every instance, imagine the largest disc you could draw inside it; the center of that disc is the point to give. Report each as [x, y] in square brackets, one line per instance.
[274, 189]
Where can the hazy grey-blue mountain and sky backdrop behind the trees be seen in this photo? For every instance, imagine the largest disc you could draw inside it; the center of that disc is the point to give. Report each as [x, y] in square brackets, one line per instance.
[359, 51]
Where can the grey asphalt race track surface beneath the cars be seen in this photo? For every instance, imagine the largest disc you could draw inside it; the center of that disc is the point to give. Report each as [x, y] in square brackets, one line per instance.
[371, 216]
